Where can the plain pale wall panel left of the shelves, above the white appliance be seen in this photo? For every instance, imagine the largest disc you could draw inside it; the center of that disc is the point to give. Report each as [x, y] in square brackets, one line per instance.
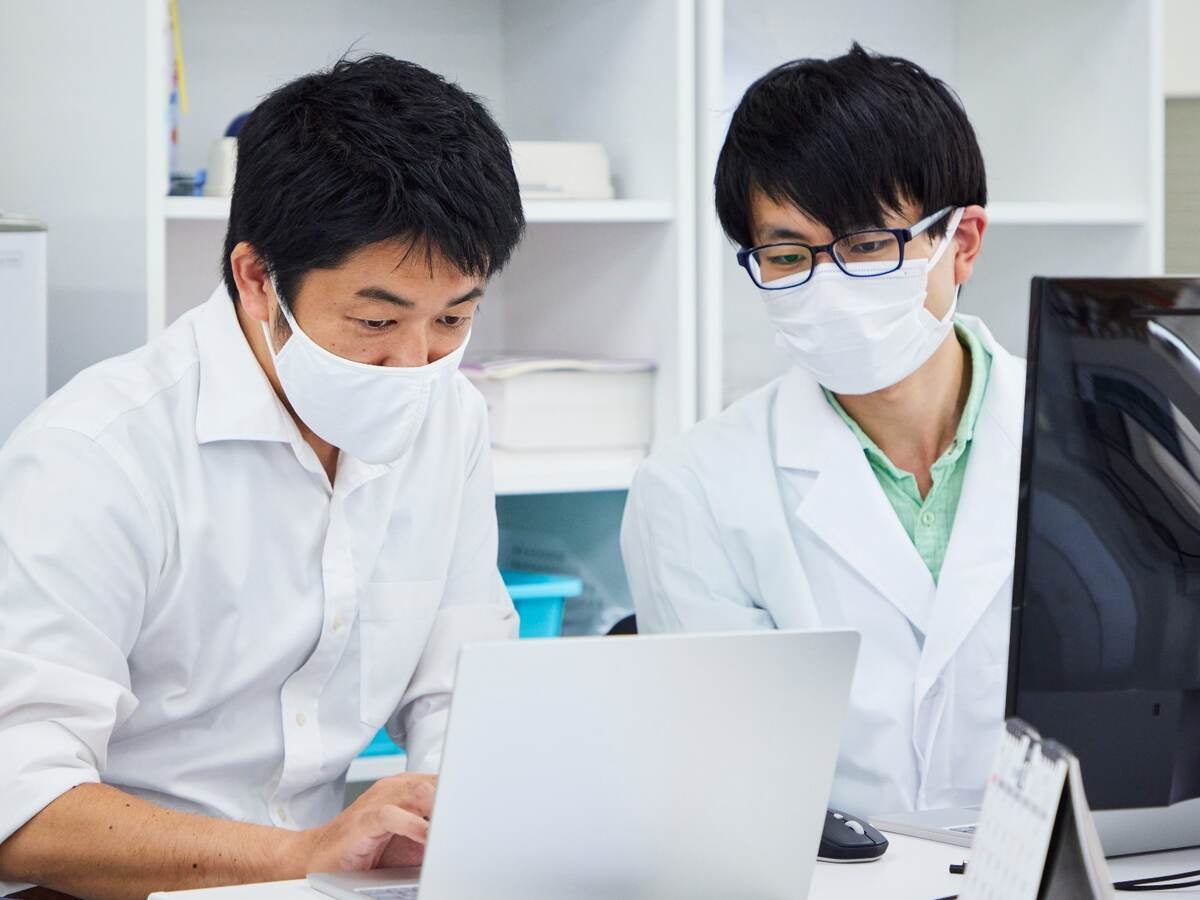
[73, 110]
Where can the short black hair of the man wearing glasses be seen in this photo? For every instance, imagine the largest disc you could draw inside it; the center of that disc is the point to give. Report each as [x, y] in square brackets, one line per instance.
[845, 140]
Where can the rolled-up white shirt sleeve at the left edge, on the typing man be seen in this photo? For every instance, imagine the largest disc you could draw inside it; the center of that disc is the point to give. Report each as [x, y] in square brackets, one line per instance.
[76, 549]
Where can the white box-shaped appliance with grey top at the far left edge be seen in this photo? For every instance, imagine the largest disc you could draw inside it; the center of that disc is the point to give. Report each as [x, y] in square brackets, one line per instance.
[23, 311]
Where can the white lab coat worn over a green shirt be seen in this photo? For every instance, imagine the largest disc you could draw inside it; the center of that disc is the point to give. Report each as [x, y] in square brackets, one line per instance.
[770, 517]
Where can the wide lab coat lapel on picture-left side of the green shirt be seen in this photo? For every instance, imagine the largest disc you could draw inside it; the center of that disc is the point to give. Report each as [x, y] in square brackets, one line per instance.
[845, 507]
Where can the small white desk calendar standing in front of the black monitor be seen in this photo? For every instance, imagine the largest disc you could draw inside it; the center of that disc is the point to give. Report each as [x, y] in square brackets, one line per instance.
[1036, 838]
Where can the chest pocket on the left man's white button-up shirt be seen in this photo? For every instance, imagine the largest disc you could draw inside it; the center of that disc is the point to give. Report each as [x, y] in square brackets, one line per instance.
[395, 620]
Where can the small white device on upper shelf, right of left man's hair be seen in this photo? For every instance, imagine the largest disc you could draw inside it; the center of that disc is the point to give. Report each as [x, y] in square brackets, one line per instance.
[562, 171]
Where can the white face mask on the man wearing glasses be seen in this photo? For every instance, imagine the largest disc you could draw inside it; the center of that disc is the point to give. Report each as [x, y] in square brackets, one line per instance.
[863, 335]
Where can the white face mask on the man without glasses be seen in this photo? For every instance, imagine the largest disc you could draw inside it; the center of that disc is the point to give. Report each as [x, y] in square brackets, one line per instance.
[369, 412]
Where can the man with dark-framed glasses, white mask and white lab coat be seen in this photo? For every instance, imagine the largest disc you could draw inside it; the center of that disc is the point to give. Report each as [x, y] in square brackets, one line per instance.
[874, 487]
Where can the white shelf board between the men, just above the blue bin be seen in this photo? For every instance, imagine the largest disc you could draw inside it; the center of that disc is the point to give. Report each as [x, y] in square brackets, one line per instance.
[565, 472]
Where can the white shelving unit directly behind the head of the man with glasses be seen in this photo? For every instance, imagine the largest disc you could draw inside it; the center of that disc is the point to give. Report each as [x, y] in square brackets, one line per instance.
[1066, 100]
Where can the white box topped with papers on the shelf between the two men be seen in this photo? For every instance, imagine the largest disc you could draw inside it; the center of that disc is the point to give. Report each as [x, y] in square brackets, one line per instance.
[538, 404]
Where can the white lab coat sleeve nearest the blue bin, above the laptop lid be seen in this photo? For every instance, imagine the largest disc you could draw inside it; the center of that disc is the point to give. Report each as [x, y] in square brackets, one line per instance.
[680, 573]
